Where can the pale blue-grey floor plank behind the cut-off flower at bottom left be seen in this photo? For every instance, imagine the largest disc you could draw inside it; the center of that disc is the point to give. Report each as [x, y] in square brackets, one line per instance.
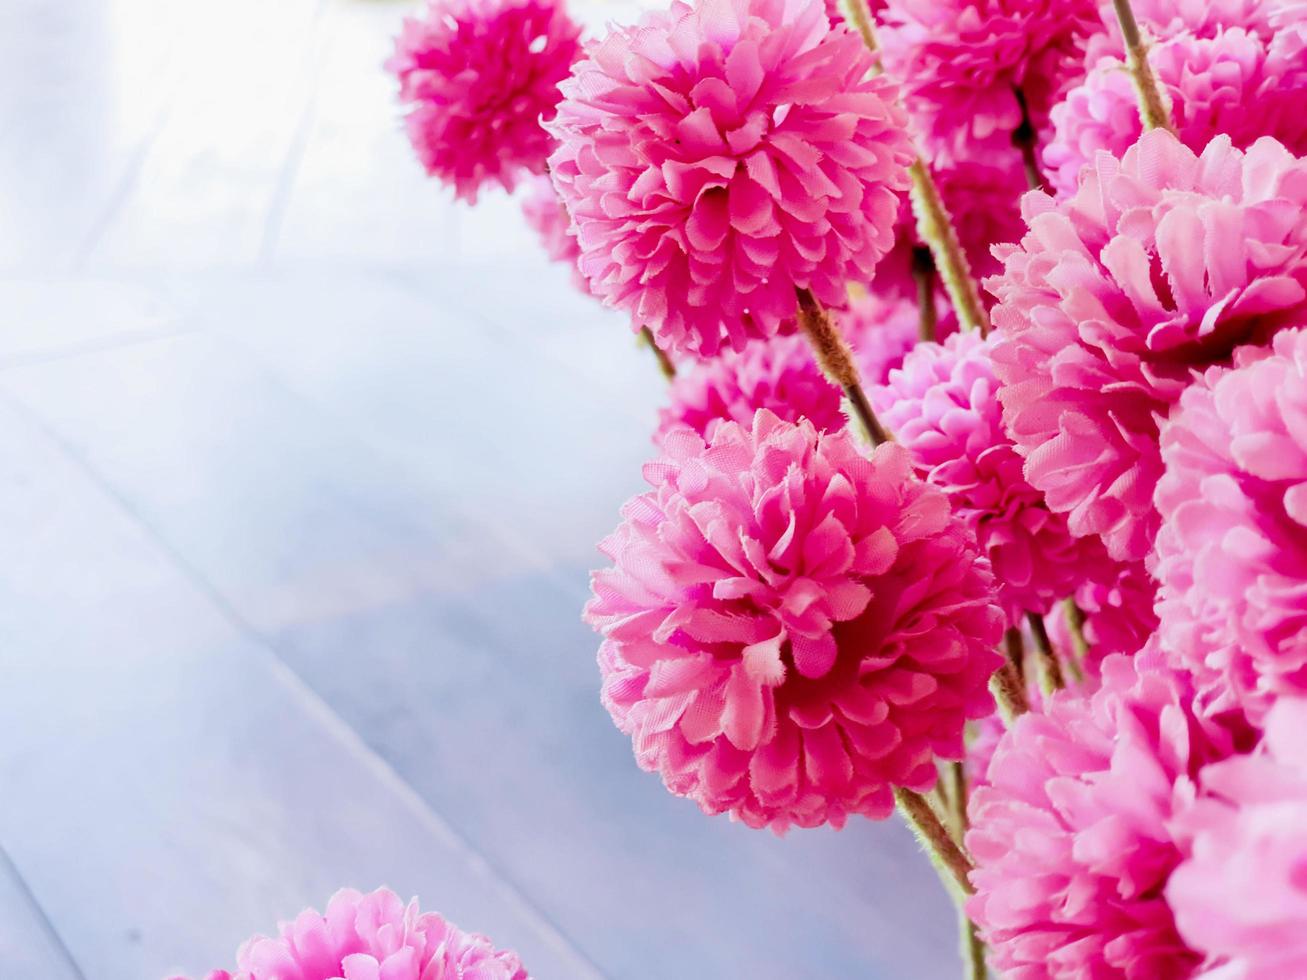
[171, 789]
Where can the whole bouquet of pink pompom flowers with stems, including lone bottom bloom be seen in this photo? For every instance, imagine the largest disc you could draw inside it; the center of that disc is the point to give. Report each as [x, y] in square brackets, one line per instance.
[981, 495]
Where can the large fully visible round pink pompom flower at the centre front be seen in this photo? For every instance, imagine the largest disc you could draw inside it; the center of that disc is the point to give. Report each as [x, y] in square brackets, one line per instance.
[793, 629]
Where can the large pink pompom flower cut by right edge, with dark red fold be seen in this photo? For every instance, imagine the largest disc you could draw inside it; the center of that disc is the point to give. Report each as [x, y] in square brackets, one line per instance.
[1161, 263]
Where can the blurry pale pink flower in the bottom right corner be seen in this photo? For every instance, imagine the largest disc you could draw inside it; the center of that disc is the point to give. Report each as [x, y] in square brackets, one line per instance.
[1242, 896]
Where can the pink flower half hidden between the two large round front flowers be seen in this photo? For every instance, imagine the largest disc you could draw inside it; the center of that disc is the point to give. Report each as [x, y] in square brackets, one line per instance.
[777, 374]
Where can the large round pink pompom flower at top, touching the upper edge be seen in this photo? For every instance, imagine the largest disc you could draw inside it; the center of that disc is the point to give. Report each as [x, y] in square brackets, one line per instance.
[720, 156]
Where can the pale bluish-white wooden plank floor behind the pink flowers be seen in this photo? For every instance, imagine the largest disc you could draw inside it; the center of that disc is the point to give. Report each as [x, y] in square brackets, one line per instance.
[301, 472]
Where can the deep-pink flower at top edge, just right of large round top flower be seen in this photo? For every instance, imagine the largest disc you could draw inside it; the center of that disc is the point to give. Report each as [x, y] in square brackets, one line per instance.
[963, 62]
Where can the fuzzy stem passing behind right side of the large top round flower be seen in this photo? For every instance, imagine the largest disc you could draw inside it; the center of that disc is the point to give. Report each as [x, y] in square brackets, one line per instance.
[934, 223]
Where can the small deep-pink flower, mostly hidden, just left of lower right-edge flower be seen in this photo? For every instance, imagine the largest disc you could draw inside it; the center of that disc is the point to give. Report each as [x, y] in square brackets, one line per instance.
[1118, 607]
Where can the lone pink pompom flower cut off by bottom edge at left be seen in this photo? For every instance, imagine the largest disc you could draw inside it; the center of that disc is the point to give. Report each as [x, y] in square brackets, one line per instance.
[372, 938]
